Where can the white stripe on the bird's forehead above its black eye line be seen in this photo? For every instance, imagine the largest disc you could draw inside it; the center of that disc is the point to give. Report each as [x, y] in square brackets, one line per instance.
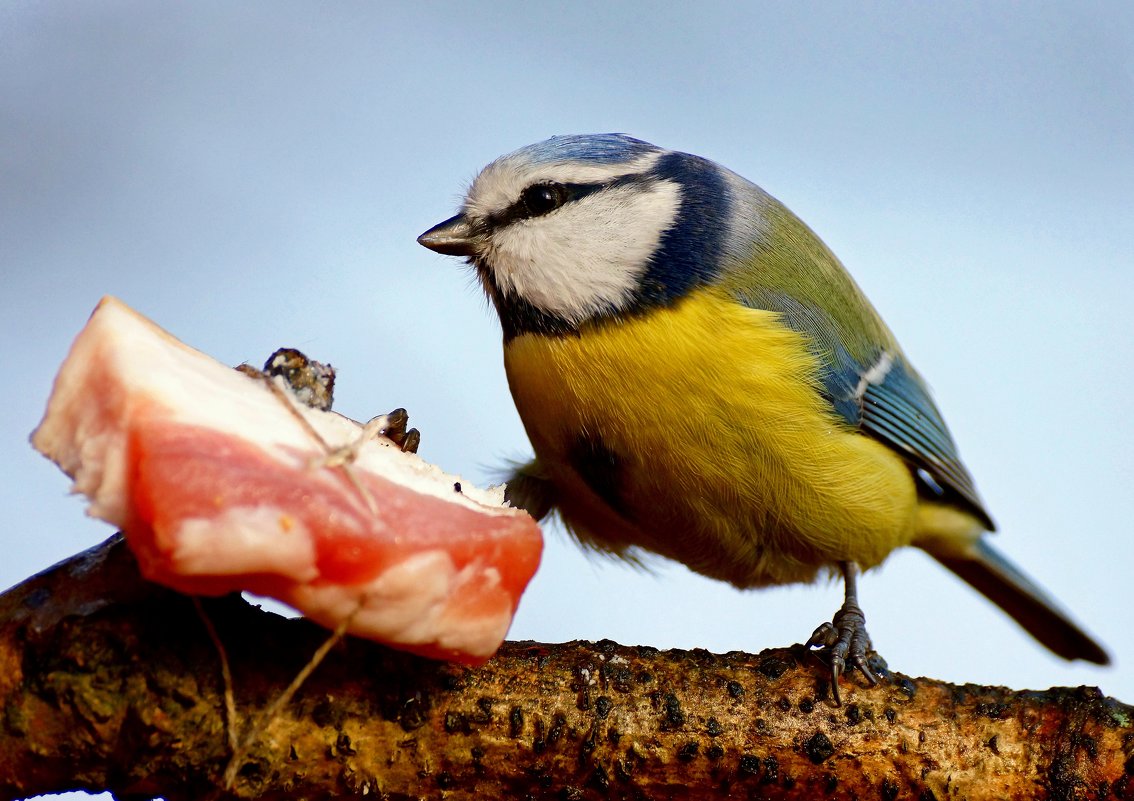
[501, 183]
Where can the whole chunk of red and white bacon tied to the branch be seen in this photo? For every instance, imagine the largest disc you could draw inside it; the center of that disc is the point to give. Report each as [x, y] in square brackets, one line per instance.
[219, 487]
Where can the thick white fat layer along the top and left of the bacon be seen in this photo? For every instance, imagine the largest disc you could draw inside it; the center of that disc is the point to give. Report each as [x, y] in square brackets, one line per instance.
[117, 357]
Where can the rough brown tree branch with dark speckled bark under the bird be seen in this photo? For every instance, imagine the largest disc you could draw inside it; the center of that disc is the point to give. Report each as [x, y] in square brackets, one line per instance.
[108, 682]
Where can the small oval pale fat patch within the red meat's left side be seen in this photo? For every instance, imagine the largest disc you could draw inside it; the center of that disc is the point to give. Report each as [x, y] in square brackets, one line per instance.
[244, 541]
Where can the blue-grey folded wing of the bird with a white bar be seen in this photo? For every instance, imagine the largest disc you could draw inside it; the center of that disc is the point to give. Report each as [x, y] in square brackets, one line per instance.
[881, 394]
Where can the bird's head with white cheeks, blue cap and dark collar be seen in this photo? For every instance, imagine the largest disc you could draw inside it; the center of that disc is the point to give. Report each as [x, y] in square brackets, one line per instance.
[591, 227]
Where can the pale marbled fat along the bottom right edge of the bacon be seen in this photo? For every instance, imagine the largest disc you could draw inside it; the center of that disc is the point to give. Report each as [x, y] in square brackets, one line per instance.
[418, 602]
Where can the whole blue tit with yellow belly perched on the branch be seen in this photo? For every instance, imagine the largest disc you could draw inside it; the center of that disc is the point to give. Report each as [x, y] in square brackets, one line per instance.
[701, 378]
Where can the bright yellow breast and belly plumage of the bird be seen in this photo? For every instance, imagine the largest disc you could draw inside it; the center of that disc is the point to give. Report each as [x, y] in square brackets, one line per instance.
[698, 432]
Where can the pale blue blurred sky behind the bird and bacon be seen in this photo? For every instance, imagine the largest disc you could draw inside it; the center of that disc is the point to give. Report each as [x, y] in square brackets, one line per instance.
[255, 175]
